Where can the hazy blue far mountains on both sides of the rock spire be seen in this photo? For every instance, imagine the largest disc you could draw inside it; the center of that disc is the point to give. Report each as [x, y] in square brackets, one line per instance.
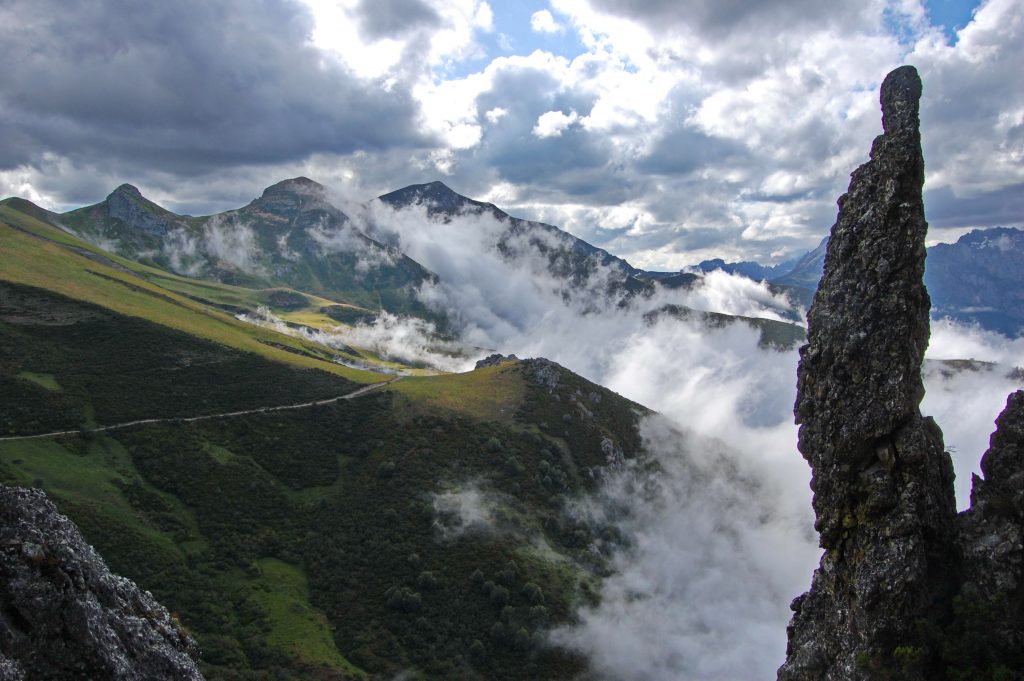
[978, 280]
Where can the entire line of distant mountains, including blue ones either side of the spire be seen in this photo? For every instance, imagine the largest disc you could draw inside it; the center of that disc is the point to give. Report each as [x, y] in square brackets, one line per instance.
[292, 236]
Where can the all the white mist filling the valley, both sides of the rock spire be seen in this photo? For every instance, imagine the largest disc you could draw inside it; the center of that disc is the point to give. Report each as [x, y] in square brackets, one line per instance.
[722, 539]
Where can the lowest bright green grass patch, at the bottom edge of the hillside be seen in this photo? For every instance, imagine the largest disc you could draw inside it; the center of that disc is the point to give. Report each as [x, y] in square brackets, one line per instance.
[298, 629]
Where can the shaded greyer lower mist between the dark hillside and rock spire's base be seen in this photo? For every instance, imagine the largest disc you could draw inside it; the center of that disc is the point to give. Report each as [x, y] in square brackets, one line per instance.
[713, 559]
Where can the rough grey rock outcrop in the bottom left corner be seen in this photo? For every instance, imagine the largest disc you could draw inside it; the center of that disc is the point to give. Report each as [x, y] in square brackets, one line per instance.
[65, 616]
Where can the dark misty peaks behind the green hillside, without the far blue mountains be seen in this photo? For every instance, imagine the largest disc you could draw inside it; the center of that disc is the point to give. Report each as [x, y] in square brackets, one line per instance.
[292, 236]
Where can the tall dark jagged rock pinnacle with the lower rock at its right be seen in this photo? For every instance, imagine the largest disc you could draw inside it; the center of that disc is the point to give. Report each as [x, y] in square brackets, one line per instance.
[883, 598]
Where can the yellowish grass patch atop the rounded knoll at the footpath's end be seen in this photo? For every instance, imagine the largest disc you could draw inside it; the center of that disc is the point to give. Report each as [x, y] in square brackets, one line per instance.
[491, 394]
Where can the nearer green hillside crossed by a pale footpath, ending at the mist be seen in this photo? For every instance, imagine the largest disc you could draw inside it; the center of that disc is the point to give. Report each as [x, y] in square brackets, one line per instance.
[420, 528]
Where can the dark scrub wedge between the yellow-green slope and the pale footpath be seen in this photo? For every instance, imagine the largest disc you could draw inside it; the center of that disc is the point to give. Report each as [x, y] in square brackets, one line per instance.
[115, 369]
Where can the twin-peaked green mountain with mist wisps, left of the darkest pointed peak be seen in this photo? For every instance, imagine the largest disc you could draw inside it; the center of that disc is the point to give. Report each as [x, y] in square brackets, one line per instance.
[291, 236]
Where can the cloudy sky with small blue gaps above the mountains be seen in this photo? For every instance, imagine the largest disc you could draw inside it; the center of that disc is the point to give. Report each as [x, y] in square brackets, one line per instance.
[666, 132]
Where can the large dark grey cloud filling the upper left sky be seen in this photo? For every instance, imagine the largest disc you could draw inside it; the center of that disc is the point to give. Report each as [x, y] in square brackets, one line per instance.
[183, 88]
